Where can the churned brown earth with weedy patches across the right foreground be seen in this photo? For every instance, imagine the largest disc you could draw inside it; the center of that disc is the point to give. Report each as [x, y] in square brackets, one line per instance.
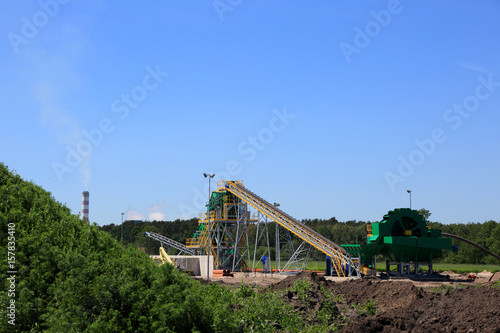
[402, 305]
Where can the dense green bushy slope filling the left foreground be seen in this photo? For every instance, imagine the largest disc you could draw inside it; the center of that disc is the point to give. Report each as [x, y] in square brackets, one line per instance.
[73, 277]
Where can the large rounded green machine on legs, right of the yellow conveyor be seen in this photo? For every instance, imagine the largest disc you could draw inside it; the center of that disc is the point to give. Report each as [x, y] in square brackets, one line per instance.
[404, 239]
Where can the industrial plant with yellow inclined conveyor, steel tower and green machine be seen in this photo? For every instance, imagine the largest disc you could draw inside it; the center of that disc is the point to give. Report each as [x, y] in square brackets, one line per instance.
[222, 243]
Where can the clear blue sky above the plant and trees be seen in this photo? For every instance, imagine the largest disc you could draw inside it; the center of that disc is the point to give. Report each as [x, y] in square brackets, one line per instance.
[331, 108]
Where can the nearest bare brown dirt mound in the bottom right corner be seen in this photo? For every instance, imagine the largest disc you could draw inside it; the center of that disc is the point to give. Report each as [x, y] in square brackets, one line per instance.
[471, 309]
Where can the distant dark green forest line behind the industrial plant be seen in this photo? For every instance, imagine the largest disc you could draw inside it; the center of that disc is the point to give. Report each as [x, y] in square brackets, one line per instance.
[486, 234]
